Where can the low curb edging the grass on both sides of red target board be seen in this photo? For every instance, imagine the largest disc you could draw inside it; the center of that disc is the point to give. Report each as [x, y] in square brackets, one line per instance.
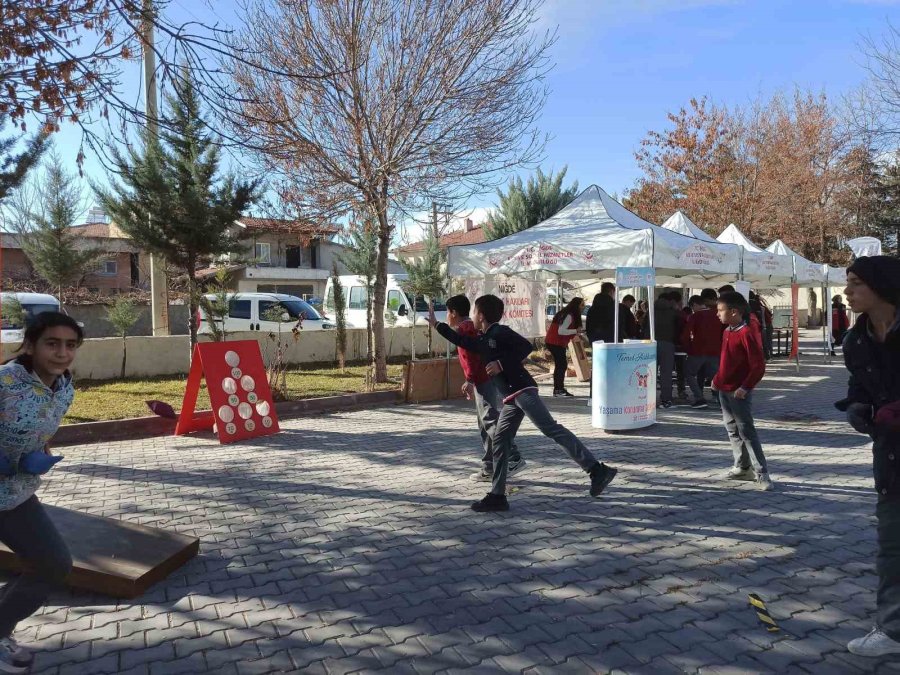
[148, 427]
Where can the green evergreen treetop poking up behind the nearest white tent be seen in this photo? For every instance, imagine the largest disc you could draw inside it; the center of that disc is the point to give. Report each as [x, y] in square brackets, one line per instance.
[526, 204]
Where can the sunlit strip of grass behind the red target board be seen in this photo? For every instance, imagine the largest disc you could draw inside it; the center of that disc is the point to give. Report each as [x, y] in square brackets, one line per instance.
[119, 399]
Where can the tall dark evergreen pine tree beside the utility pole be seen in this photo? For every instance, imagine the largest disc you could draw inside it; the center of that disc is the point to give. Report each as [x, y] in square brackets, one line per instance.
[169, 197]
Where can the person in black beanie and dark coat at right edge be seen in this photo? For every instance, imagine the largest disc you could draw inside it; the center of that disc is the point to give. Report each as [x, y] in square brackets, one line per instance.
[872, 355]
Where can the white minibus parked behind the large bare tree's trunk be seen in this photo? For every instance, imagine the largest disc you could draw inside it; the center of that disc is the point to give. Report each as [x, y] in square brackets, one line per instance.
[397, 302]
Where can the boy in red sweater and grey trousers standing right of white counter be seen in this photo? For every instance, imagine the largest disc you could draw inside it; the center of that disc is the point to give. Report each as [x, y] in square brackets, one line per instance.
[741, 367]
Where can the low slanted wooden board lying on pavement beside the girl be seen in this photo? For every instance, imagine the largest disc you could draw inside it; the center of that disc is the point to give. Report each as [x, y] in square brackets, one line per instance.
[113, 557]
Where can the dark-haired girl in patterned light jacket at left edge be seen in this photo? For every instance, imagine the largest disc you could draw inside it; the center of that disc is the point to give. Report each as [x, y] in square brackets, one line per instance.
[35, 392]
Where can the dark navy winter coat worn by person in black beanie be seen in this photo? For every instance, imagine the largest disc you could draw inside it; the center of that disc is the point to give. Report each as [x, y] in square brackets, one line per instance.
[875, 380]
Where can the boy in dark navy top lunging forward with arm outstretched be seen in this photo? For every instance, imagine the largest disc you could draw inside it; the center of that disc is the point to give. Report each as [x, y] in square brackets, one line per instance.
[503, 351]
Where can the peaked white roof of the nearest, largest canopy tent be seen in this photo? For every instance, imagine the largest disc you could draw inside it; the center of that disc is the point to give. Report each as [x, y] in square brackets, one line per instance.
[590, 238]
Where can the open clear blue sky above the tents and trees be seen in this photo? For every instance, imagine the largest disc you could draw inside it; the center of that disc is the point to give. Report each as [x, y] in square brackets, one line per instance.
[621, 65]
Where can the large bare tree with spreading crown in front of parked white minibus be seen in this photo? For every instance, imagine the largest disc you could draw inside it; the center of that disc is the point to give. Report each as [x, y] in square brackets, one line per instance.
[385, 106]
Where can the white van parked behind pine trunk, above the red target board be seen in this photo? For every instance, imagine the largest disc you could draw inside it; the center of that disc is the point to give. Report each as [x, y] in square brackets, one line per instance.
[248, 311]
